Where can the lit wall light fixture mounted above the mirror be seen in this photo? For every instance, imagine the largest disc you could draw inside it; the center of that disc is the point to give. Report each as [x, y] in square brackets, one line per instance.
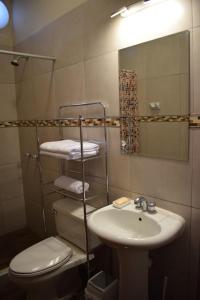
[135, 7]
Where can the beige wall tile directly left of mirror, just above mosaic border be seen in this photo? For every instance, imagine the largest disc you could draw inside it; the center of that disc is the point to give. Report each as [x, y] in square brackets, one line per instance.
[101, 81]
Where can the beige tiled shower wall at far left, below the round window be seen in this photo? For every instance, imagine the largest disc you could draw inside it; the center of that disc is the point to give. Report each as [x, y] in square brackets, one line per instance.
[12, 210]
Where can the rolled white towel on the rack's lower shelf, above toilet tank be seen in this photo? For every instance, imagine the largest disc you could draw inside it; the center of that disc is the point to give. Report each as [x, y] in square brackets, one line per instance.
[71, 184]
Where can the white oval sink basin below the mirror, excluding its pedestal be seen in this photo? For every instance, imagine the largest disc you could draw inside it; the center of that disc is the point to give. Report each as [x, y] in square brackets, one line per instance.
[131, 227]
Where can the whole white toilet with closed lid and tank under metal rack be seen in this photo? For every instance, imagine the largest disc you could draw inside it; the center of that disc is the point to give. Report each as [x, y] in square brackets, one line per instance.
[36, 269]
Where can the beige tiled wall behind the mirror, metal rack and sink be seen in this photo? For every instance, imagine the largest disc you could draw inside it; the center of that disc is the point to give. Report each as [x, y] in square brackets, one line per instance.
[86, 43]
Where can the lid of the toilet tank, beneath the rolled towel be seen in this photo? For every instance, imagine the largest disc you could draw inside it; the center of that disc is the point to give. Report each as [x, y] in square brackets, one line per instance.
[71, 207]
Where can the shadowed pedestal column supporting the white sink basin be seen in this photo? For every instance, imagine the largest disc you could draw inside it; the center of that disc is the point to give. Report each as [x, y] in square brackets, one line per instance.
[133, 281]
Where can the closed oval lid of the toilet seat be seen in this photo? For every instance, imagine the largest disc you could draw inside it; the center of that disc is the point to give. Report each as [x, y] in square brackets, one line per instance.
[42, 257]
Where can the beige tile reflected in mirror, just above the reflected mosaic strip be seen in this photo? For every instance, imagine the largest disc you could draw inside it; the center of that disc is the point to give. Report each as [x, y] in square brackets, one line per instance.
[172, 92]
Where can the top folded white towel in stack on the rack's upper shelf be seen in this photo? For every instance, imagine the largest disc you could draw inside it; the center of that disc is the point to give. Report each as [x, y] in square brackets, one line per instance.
[68, 147]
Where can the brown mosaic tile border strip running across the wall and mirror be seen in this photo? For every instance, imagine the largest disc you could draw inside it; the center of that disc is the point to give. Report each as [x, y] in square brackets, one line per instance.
[194, 121]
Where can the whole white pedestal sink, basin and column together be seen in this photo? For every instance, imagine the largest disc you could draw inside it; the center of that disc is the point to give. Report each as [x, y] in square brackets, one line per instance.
[134, 233]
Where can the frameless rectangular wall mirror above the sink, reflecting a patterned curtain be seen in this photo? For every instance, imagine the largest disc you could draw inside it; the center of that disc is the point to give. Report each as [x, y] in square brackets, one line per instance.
[154, 97]
